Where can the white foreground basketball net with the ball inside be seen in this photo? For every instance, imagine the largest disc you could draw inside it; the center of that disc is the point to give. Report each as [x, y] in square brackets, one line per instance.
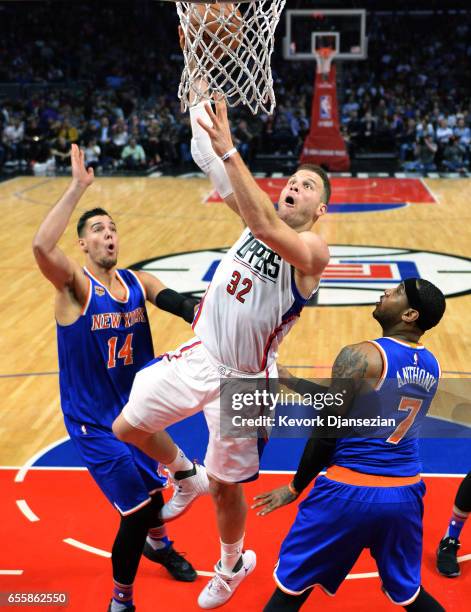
[228, 47]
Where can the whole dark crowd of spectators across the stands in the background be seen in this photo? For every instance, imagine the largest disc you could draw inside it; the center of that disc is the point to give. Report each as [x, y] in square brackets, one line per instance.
[106, 77]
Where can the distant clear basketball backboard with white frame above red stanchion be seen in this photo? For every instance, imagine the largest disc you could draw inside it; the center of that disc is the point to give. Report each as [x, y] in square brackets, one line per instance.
[306, 29]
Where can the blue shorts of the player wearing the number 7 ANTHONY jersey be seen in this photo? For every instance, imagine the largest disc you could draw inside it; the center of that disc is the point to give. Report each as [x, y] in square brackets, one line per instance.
[337, 521]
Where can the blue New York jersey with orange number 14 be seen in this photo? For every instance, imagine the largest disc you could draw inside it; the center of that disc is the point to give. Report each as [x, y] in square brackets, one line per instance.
[101, 352]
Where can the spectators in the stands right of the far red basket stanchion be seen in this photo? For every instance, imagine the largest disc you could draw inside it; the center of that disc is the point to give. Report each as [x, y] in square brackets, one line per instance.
[413, 90]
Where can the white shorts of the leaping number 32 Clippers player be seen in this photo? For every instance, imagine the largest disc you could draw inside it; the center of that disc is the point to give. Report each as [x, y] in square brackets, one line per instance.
[181, 384]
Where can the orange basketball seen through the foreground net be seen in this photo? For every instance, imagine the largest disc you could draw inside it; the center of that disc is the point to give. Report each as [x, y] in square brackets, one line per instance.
[222, 28]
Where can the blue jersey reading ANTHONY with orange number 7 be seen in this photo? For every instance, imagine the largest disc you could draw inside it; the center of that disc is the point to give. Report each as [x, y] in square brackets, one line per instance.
[403, 396]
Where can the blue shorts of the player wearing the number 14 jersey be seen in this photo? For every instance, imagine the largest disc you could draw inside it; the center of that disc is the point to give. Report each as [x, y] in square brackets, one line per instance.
[125, 474]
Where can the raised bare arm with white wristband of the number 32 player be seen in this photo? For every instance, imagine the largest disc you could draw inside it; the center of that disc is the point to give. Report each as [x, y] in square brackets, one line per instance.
[305, 250]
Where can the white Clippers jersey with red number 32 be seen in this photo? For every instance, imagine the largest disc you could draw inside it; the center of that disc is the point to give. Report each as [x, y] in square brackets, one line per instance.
[250, 305]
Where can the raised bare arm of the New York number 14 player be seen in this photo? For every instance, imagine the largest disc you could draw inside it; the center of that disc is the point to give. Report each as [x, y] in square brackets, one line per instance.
[53, 263]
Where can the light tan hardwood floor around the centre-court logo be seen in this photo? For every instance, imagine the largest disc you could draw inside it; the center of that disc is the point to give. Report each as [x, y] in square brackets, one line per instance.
[161, 216]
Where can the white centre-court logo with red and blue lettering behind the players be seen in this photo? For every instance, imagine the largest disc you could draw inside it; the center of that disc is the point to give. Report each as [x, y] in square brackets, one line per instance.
[356, 275]
